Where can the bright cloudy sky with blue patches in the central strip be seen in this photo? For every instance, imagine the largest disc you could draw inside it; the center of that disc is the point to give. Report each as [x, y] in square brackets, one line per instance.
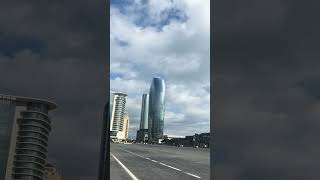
[163, 38]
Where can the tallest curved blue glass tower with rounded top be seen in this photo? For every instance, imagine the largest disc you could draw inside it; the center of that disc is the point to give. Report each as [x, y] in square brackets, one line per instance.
[156, 110]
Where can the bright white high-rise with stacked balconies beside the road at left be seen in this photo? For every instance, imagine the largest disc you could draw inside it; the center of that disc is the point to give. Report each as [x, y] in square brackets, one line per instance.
[118, 105]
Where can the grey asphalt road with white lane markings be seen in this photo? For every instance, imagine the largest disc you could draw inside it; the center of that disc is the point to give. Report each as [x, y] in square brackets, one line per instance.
[158, 162]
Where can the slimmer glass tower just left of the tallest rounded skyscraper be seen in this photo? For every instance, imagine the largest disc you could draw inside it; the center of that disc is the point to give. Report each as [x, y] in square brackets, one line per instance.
[142, 133]
